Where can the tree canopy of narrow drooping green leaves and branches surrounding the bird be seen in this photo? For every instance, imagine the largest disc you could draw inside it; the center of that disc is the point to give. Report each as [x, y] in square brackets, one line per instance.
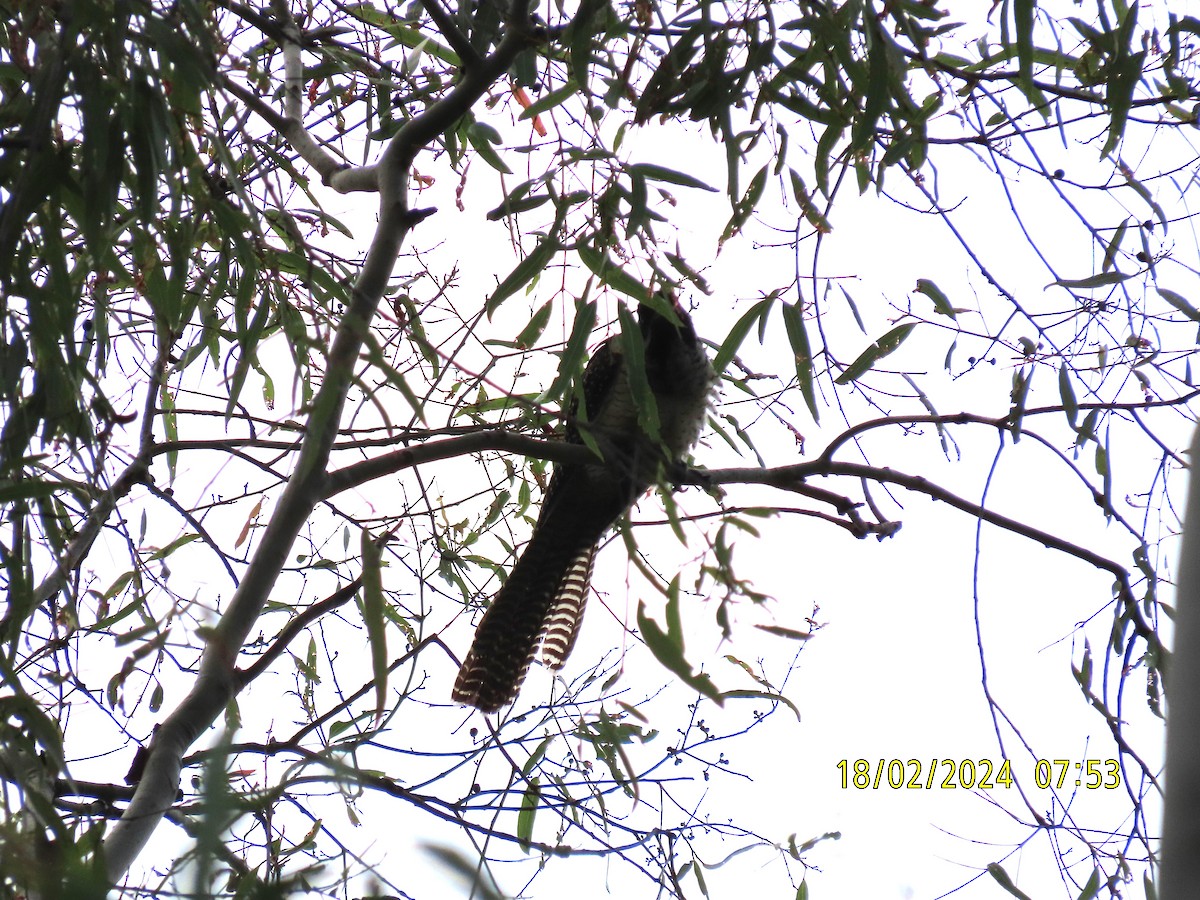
[293, 296]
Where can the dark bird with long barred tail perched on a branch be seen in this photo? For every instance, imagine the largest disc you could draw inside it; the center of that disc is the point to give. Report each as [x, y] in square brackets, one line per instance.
[542, 602]
